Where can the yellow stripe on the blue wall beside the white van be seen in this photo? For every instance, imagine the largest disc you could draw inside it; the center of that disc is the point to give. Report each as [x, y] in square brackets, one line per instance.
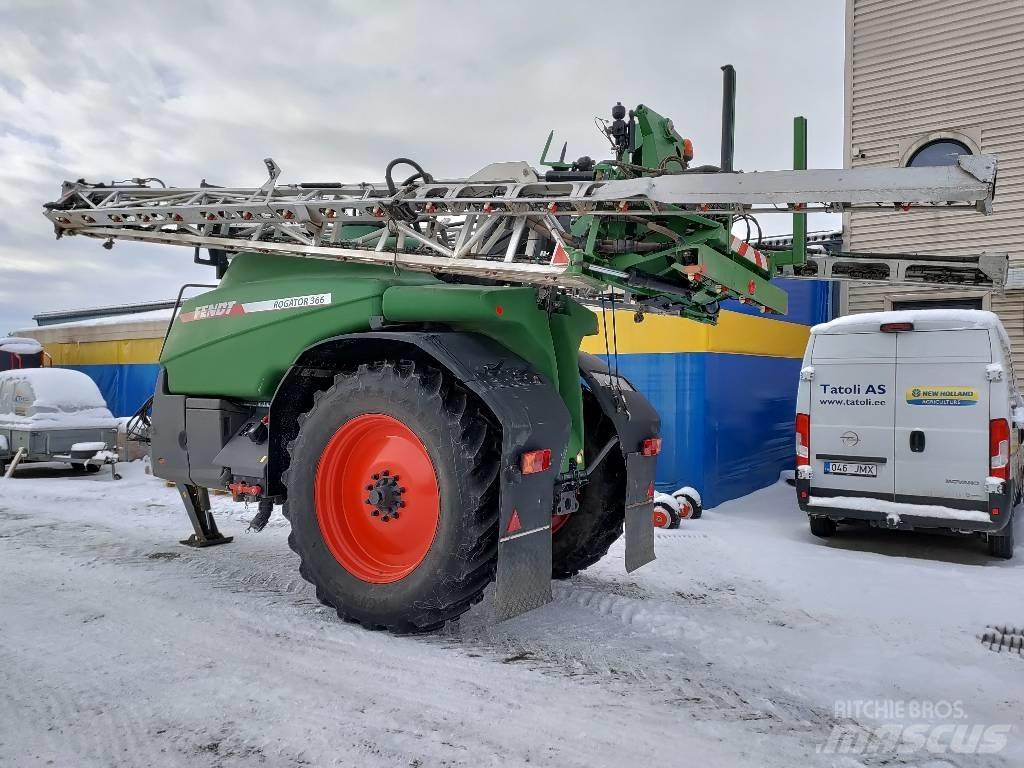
[736, 334]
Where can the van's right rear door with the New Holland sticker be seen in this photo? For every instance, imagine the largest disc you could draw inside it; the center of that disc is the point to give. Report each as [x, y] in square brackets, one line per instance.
[943, 415]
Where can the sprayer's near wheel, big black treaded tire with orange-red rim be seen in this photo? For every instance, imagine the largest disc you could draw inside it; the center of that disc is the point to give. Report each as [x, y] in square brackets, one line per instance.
[340, 439]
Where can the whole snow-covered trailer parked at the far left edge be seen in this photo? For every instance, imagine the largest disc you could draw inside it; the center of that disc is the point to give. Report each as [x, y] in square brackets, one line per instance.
[53, 414]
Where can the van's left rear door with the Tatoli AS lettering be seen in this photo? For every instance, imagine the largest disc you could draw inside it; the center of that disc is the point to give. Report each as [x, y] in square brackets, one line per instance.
[852, 414]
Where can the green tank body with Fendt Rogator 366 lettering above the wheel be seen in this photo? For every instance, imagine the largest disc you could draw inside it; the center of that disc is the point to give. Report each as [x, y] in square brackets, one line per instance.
[238, 340]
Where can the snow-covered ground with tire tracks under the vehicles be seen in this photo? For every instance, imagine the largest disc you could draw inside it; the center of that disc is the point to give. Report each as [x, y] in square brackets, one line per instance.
[747, 644]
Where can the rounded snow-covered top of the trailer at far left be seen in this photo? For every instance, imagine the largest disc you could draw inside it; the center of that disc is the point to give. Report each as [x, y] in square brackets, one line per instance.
[52, 398]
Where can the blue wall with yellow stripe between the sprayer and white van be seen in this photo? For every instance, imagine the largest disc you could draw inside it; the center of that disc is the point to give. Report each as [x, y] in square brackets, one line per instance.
[727, 395]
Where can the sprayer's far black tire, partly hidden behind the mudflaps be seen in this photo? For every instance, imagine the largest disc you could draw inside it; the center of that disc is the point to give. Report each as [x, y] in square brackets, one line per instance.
[586, 536]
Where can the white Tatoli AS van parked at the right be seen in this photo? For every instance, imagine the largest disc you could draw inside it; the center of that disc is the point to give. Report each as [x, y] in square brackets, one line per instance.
[911, 420]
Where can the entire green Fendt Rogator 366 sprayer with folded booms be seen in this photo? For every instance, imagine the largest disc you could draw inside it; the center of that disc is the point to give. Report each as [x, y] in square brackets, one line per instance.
[399, 364]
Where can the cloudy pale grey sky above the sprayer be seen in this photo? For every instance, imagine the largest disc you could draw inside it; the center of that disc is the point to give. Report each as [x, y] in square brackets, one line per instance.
[189, 91]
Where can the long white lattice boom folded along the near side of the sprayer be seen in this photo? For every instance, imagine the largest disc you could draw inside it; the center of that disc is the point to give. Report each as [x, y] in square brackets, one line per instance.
[503, 223]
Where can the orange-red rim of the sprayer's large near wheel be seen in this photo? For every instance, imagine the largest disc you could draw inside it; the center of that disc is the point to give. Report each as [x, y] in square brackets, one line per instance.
[377, 499]
